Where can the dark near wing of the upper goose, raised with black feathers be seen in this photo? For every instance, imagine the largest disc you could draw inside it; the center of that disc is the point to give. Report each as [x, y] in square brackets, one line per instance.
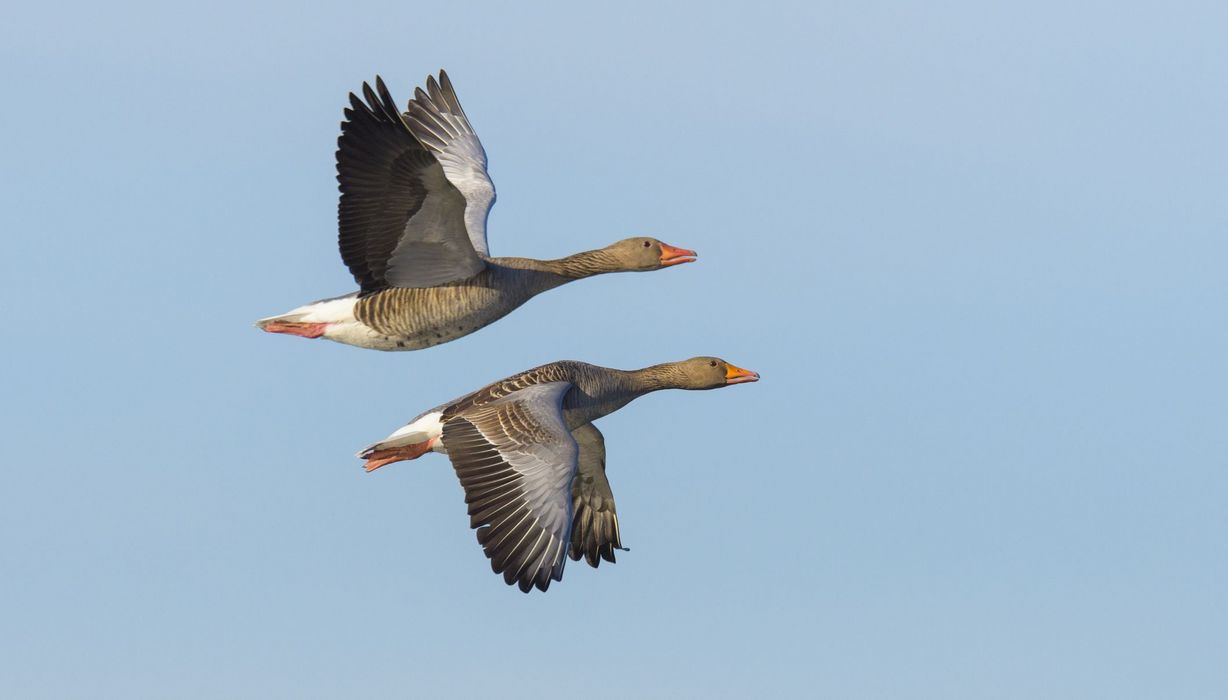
[401, 222]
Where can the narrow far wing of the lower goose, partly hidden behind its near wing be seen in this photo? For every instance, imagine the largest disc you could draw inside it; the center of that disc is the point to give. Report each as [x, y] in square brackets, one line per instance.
[595, 521]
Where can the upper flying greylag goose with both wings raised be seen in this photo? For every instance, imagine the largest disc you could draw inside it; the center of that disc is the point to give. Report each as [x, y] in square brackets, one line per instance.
[413, 233]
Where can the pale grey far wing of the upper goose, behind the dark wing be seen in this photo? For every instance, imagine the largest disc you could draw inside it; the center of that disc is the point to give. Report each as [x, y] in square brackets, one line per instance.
[440, 125]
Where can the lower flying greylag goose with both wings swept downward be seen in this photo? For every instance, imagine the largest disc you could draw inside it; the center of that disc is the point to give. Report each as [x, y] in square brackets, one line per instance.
[534, 466]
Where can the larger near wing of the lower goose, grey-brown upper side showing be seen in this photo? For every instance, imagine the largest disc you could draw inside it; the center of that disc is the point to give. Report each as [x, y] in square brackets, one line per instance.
[516, 461]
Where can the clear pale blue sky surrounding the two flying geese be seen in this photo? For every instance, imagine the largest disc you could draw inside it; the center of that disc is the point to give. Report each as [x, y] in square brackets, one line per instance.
[976, 250]
